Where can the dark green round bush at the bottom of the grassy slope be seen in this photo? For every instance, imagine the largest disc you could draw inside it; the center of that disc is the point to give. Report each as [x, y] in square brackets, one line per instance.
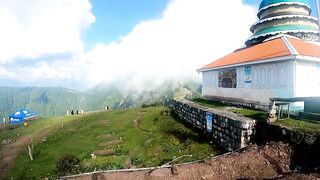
[67, 165]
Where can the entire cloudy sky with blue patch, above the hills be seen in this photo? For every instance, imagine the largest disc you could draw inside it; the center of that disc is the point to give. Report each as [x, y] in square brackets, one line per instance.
[81, 43]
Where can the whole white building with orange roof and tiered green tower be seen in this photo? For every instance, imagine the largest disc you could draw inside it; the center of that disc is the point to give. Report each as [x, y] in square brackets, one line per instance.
[281, 59]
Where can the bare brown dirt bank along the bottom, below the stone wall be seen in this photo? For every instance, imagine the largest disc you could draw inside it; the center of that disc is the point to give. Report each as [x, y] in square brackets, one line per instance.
[267, 162]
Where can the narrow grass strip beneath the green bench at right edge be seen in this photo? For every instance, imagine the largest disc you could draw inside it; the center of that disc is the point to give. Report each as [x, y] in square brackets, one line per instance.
[300, 125]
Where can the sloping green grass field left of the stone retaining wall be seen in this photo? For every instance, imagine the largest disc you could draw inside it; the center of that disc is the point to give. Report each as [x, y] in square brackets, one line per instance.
[121, 138]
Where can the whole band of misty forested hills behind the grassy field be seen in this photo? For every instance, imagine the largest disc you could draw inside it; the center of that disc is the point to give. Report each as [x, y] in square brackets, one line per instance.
[54, 101]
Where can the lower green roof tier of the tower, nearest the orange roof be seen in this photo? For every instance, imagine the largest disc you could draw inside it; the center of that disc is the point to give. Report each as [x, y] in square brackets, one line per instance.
[285, 28]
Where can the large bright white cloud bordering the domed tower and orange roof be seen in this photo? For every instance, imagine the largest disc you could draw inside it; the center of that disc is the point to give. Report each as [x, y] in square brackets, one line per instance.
[190, 34]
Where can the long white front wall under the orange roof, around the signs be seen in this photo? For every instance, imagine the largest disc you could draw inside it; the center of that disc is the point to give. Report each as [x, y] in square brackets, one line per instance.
[267, 80]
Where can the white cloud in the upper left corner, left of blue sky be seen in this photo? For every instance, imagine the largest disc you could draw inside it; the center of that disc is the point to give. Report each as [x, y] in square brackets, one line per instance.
[38, 27]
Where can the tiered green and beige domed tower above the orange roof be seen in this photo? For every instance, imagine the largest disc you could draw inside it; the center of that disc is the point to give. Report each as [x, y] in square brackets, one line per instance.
[287, 17]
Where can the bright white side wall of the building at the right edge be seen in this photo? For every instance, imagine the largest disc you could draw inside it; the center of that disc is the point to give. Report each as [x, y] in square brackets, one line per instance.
[307, 79]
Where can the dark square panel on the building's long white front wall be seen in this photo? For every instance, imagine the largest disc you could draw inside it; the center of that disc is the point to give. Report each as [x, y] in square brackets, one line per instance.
[228, 78]
